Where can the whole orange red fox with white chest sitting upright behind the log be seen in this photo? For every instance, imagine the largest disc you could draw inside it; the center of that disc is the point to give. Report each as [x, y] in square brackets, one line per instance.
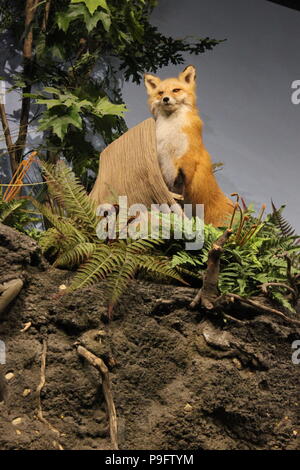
[183, 159]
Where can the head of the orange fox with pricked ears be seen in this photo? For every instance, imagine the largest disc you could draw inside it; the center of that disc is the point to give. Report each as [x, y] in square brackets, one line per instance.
[167, 96]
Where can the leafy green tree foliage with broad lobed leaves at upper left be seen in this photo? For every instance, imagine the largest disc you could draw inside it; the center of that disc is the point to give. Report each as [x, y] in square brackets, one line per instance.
[79, 59]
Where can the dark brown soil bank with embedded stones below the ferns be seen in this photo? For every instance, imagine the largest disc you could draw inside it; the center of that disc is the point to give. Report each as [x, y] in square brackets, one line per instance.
[180, 380]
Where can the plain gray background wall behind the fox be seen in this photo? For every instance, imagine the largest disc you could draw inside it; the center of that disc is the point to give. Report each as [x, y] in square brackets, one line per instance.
[244, 93]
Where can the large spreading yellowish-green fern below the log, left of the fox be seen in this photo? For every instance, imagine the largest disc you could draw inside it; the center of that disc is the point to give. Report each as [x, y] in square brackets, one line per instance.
[72, 240]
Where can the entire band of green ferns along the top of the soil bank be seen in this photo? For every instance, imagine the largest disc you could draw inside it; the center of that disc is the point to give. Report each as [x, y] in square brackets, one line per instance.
[255, 254]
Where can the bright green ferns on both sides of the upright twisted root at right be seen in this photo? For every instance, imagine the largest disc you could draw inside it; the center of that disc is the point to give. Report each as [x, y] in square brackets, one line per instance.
[254, 255]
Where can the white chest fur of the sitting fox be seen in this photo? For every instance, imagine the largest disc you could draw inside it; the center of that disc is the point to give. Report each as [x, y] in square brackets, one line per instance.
[172, 143]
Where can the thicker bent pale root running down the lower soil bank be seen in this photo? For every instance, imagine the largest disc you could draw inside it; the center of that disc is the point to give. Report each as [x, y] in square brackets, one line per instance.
[99, 364]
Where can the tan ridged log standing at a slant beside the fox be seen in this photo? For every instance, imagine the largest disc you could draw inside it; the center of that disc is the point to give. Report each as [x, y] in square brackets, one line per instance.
[129, 167]
